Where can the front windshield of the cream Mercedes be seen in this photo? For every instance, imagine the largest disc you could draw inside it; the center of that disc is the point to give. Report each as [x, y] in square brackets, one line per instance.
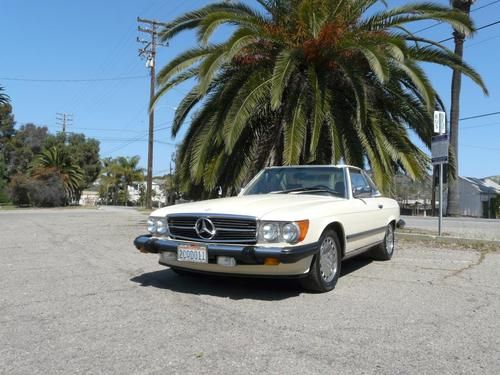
[299, 180]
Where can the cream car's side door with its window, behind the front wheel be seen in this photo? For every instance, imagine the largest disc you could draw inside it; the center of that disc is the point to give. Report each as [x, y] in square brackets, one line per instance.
[367, 212]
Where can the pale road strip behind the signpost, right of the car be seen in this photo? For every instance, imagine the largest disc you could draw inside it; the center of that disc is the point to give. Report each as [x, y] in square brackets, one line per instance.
[465, 227]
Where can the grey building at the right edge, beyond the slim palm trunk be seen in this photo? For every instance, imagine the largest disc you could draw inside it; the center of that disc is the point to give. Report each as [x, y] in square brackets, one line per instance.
[478, 197]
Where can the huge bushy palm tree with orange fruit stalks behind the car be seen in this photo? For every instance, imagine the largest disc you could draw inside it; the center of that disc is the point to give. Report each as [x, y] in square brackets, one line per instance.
[307, 81]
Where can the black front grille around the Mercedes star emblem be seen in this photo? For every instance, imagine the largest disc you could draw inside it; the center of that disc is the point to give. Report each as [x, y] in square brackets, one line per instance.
[228, 229]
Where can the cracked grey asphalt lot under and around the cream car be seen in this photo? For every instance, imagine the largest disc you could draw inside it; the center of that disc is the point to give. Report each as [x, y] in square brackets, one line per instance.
[76, 297]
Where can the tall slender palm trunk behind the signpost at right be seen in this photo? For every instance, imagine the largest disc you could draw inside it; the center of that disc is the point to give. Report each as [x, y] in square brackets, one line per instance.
[453, 207]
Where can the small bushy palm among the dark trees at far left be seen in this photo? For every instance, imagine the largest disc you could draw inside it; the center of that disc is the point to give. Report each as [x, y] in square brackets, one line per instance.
[57, 161]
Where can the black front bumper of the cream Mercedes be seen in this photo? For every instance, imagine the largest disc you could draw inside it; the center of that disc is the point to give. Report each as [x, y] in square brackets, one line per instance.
[244, 254]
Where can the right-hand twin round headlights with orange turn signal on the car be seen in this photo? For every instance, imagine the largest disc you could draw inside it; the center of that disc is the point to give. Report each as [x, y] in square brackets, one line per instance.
[277, 231]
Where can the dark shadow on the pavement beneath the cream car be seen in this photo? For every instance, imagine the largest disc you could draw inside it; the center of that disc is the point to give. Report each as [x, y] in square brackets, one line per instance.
[236, 288]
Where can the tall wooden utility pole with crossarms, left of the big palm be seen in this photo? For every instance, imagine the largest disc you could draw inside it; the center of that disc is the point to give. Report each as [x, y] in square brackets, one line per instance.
[149, 52]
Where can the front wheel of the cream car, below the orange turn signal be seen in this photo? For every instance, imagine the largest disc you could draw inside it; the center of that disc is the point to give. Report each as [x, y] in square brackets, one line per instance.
[325, 268]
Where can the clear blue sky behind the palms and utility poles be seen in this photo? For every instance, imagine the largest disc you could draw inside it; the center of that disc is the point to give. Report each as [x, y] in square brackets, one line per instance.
[47, 42]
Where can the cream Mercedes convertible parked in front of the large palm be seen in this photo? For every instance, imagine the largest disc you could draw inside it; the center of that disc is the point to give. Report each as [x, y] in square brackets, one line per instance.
[299, 221]
